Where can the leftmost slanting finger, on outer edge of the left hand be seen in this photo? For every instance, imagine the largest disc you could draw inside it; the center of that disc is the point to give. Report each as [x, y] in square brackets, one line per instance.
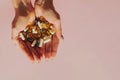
[25, 48]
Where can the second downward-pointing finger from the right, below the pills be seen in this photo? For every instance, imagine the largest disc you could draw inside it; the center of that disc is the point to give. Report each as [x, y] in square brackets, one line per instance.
[48, 49]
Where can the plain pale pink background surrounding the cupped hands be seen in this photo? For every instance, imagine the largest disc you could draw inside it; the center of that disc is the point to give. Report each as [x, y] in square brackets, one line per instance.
[90, 51]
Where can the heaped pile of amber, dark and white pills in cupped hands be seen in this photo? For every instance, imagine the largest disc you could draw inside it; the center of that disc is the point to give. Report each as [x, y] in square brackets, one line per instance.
[38, 33]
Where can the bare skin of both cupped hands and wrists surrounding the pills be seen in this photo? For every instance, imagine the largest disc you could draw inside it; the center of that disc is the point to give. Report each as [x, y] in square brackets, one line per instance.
[25, 13]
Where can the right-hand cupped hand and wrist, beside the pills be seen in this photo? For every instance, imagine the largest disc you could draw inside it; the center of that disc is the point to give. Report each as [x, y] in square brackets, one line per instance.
[46, 8]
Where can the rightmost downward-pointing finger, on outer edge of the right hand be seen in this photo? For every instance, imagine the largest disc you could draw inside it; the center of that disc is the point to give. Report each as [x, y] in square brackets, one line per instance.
[55, 43]
